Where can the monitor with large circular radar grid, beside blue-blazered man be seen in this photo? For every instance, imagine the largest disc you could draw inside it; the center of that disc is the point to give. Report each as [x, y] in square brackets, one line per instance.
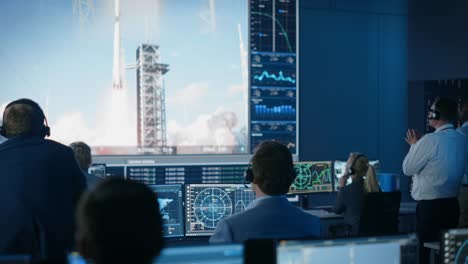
[207, 204]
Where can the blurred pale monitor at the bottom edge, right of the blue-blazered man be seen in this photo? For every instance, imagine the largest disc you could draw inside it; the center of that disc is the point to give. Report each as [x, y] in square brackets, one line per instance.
[397, 249]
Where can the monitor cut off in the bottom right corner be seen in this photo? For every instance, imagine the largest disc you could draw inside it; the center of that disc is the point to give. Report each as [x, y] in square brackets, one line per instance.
[455, 246]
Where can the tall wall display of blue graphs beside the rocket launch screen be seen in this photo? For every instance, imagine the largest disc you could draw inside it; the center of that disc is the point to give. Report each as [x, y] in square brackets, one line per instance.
[273, 72]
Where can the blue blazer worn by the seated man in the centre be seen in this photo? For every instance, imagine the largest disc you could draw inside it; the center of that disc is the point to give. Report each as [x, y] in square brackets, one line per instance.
[267, 217]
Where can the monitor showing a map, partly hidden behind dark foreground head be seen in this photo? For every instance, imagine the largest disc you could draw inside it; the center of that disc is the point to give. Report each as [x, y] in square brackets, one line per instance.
[171, 209]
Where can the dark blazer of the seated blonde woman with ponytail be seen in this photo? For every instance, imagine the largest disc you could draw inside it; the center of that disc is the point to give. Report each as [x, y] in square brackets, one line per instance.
[349, 201]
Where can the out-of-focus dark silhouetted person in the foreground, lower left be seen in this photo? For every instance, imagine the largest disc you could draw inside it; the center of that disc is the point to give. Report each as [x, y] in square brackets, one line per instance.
[119, 222]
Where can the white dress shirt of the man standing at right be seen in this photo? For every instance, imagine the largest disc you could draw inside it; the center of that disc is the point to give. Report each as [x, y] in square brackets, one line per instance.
[437, 162]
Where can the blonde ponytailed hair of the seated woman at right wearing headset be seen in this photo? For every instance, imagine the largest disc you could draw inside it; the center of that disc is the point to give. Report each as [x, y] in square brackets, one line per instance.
[362, 168]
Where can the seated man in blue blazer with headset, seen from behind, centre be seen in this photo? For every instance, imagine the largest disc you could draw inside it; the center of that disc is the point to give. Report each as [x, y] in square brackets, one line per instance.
[270, 215]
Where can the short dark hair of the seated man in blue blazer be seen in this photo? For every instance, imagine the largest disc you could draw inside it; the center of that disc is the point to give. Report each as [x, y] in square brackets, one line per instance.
[273, 168]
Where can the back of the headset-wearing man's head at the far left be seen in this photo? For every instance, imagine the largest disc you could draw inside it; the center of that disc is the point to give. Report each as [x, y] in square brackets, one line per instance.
[23, 117]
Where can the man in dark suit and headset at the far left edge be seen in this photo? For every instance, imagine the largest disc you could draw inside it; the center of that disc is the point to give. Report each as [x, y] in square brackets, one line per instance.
[40, 184]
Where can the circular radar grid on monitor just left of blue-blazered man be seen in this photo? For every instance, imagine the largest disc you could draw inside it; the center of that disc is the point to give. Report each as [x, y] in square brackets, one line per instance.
[211, 205]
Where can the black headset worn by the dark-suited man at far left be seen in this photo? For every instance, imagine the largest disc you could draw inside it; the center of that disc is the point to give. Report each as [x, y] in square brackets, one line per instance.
[42, 131]
